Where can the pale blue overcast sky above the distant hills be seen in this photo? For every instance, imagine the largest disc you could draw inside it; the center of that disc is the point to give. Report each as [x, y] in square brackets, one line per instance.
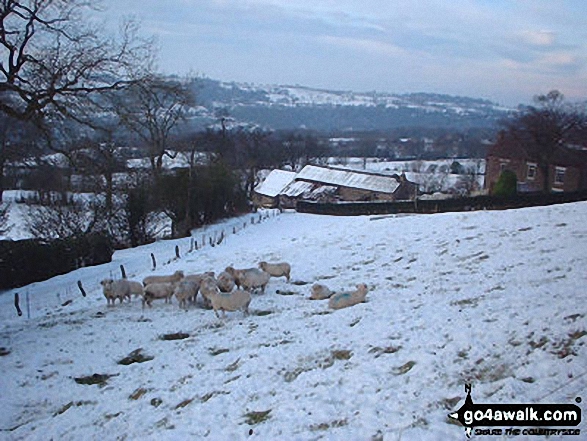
[504, 50]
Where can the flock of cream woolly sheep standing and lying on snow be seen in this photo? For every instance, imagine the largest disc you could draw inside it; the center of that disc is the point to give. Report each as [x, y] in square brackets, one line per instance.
[230, 291]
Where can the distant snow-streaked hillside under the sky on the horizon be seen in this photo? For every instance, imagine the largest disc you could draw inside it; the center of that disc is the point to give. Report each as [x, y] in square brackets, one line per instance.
[291, 107]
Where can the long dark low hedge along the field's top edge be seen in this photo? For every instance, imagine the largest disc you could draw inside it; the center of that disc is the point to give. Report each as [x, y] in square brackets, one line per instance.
[439, 206]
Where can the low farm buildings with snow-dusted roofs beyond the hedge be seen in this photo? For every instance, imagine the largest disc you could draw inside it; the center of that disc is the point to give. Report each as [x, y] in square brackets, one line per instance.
[332, 184]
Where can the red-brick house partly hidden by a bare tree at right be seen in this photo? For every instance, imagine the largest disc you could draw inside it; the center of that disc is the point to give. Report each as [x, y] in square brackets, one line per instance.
[567, 168]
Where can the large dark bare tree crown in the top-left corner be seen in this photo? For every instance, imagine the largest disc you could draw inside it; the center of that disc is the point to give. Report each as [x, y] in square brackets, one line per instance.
[54, 59]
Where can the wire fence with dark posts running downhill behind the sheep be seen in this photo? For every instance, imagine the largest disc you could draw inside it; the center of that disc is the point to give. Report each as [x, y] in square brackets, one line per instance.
[29, 301]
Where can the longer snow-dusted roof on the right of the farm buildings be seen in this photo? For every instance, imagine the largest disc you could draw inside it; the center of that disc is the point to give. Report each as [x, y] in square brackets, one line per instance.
[348, 178]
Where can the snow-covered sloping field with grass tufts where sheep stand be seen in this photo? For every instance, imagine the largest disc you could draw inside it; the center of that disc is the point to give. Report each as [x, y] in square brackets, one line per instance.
[492, 298]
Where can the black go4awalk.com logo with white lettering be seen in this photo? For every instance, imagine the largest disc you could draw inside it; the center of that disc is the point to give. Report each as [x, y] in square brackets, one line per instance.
[538, 419]
